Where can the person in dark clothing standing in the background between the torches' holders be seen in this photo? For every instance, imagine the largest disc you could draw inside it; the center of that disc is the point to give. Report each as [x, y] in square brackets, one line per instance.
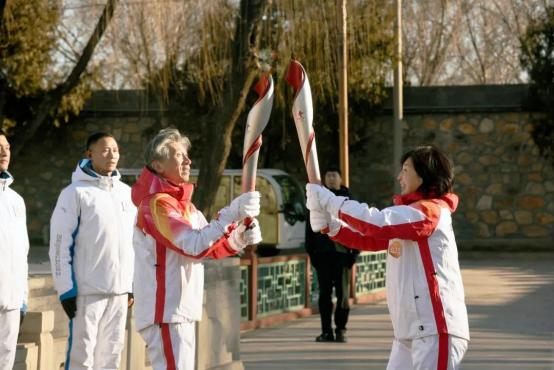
[333, 264]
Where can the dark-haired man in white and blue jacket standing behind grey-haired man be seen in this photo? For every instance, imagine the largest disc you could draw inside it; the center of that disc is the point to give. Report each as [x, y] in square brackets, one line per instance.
[91, 254]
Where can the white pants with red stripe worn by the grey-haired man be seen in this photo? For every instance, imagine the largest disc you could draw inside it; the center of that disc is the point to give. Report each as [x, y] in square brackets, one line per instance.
[171, 346]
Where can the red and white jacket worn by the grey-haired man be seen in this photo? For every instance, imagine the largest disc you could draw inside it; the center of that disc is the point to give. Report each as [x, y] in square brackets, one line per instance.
[171, 238]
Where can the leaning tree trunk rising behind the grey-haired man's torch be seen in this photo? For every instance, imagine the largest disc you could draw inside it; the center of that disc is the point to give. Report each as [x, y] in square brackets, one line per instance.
[243, 73]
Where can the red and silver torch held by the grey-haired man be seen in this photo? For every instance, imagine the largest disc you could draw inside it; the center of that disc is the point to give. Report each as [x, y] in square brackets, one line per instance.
[257, 120]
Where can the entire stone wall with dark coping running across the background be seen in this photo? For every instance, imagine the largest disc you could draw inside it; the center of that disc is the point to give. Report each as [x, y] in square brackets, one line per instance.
[506, 189]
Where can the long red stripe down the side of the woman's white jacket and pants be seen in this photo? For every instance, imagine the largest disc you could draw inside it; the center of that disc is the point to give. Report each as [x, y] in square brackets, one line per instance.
[436, 302]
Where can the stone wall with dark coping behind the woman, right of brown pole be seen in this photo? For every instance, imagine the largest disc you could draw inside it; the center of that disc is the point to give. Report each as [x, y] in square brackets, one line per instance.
[506, 188]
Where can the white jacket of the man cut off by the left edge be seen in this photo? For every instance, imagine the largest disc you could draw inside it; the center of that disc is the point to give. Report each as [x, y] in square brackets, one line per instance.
[14, 247]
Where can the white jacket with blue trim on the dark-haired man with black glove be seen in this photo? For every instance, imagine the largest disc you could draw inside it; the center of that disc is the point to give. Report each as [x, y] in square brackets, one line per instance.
[91, 231]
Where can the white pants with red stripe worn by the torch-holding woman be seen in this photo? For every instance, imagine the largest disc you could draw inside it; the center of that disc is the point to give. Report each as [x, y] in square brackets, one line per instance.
[429, 353]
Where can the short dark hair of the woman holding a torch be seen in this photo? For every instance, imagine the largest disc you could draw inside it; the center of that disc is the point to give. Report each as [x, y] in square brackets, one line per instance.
[434, 168]
